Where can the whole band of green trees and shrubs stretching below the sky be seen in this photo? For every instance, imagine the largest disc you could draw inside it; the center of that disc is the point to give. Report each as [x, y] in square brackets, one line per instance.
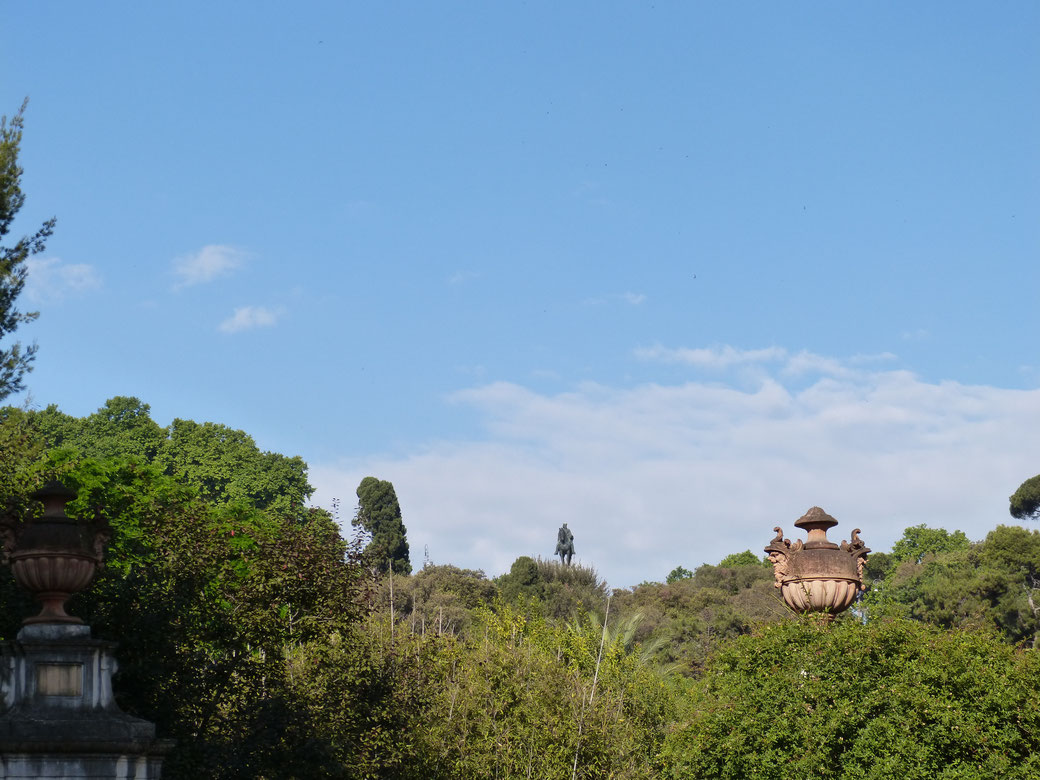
[271, 647]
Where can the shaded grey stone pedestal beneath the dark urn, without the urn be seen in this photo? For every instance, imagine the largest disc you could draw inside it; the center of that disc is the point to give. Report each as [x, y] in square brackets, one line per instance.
[60, 719]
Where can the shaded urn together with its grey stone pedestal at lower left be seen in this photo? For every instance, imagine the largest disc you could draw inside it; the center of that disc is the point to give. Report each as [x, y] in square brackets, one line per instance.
[58, 715]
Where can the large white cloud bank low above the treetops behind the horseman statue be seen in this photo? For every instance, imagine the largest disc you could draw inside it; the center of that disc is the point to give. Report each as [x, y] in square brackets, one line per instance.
[661, 476]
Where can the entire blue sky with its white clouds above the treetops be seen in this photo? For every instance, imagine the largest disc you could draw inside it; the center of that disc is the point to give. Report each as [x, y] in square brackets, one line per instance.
[673, 273]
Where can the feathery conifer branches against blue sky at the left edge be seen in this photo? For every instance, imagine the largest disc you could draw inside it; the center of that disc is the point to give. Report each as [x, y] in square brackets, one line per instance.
[15, 361]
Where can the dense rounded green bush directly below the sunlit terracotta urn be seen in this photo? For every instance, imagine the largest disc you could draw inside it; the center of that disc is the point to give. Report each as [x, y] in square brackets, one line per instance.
[889, 700]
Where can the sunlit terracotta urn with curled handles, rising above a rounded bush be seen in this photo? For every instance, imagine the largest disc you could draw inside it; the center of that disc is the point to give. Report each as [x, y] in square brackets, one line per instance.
[818, 576]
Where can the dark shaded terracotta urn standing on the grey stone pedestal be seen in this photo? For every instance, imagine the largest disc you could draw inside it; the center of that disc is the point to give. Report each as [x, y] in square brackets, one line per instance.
[54, 557]
